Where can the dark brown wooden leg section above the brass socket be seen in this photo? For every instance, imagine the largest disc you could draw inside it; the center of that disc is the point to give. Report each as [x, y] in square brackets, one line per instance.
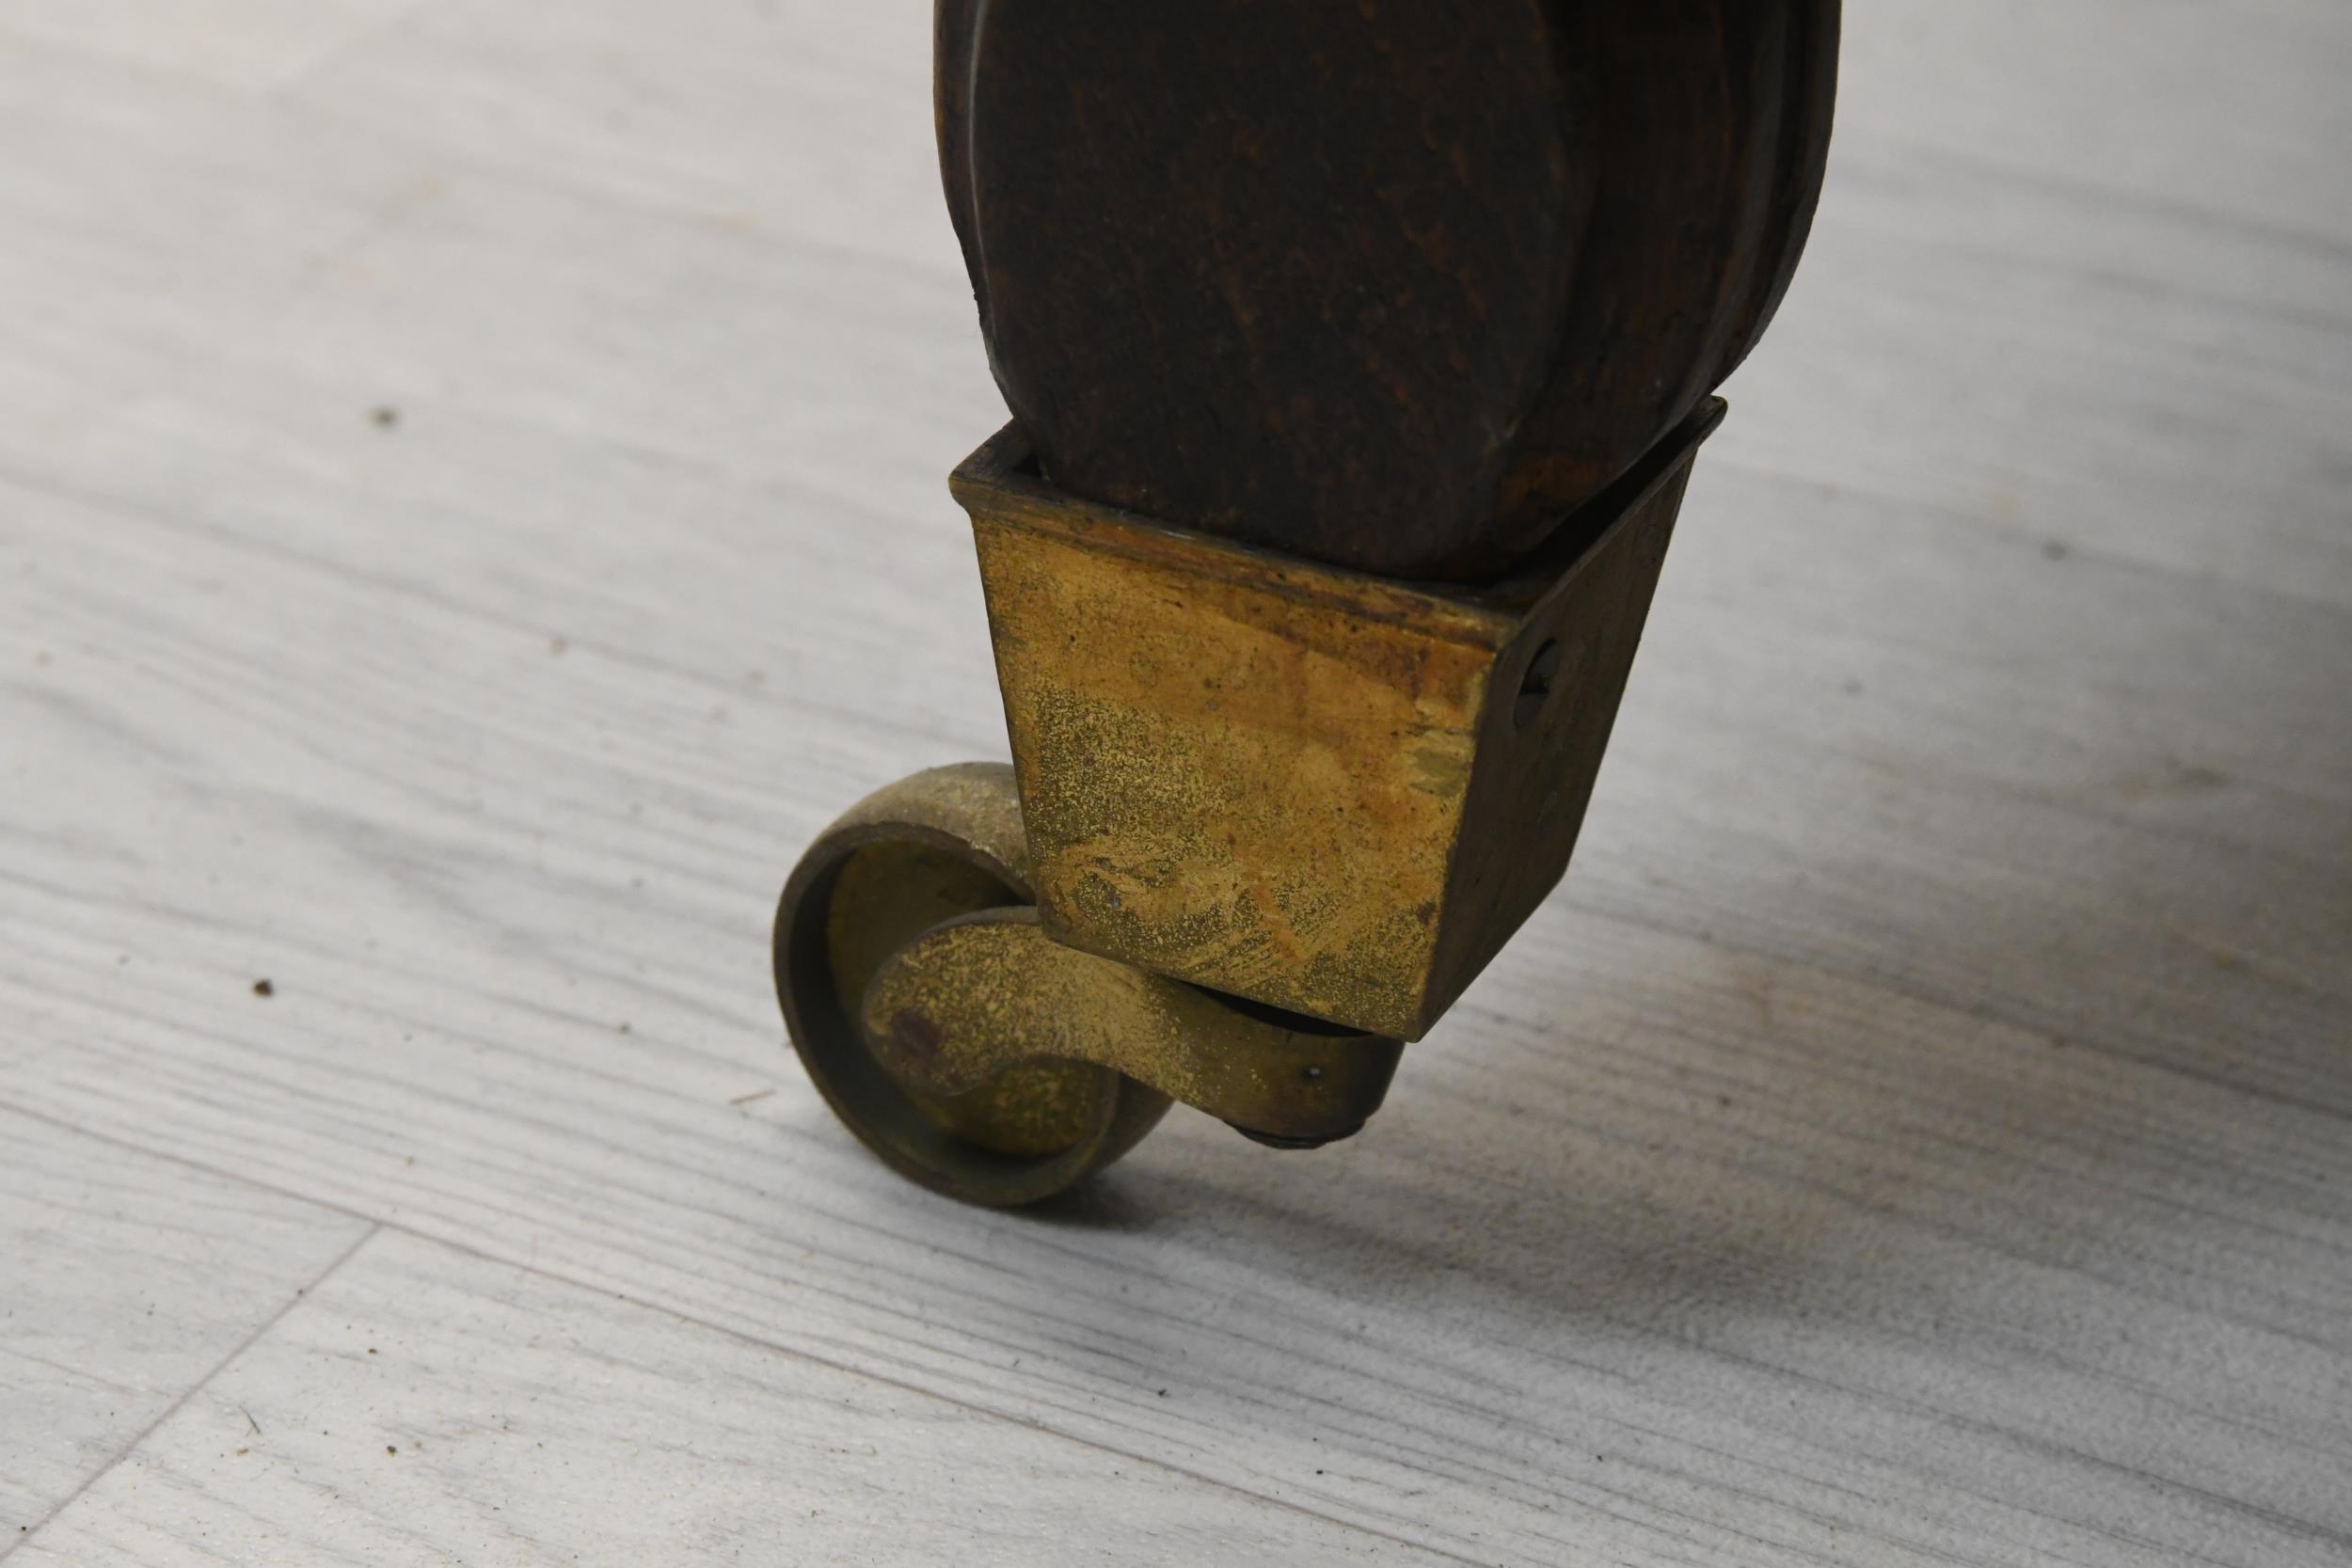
[1387, 283]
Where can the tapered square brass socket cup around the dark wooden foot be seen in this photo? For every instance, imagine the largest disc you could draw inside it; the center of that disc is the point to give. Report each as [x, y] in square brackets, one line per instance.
[1314, 789]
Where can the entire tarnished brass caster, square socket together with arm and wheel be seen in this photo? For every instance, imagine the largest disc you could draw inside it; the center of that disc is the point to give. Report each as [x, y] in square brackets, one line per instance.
[1267, 822]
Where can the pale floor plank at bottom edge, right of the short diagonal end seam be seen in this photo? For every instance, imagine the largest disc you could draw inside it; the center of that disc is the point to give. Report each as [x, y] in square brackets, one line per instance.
[427, 1407]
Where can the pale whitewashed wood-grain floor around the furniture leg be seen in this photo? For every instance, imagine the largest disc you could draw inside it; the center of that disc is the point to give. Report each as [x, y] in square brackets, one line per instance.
[472, 509]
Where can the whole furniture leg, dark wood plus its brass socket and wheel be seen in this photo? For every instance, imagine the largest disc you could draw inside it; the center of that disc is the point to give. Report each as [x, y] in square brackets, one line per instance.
[1358, 359]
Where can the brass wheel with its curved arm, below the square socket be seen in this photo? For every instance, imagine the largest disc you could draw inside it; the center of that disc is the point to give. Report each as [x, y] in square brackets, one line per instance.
[980, 1057]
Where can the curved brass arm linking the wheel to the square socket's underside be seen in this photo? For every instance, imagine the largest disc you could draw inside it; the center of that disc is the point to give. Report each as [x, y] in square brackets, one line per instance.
[977, 998]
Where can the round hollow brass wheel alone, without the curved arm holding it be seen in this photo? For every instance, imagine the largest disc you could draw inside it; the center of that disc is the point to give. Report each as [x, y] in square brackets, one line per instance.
[897, 866]
